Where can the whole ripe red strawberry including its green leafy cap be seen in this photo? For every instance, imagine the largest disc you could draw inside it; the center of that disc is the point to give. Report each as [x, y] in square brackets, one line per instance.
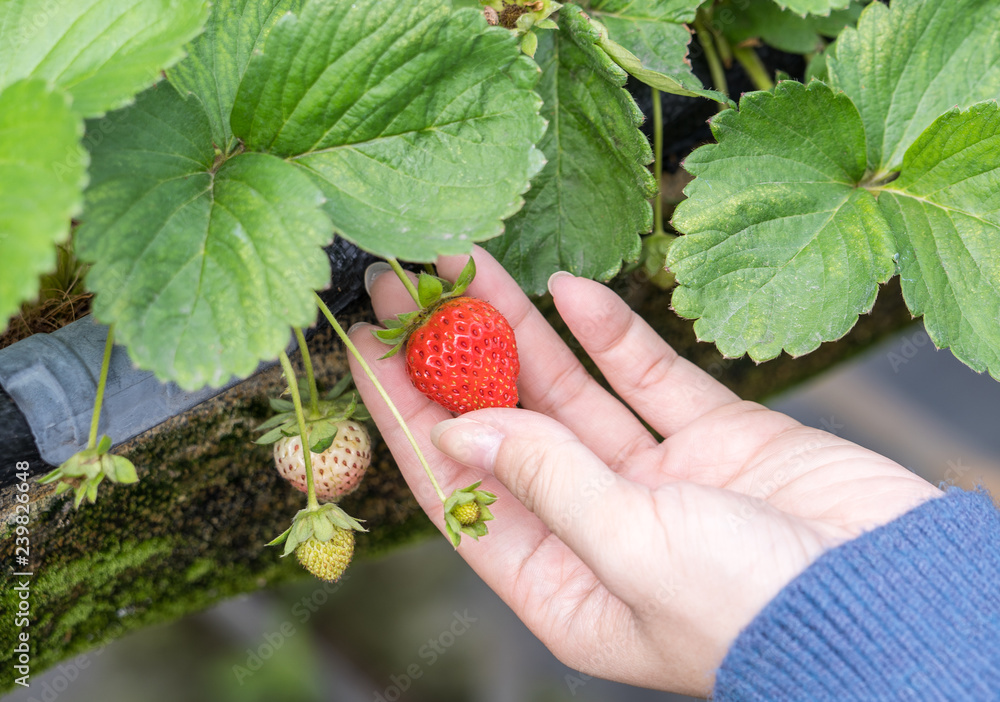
[460, 351]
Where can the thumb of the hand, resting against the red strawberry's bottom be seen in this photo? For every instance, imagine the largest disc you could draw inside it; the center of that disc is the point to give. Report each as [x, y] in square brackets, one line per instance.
[592, 509]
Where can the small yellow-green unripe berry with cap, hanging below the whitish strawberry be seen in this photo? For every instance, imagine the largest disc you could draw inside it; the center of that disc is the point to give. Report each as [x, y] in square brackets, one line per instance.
[323, 540]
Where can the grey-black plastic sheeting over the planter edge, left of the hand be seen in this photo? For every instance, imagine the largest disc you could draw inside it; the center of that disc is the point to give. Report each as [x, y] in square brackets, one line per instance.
[48, 381]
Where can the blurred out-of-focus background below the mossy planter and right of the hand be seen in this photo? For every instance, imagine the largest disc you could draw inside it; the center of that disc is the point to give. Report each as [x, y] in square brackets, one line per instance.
[419, 626]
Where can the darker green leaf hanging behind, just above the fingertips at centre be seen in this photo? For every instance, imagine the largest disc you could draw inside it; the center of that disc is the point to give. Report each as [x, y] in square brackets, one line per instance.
[587, 207]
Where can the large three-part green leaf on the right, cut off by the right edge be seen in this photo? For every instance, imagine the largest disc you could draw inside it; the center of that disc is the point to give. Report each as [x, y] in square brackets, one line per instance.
[785, 247]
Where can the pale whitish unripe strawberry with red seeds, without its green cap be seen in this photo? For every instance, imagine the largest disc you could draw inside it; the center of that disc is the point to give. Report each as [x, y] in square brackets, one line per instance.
[337, 471]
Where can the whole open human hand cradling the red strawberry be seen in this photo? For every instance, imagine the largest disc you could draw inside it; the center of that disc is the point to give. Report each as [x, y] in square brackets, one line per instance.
[630, 558]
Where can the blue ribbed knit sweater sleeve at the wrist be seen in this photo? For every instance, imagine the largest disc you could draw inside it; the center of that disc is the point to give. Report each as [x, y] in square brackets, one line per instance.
[908, 611]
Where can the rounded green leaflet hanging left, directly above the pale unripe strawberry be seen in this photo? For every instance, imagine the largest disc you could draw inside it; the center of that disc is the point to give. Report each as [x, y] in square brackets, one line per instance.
[203, 263]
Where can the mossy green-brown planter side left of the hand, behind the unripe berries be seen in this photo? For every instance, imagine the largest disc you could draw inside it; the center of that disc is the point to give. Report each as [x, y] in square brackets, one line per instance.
[192, 532]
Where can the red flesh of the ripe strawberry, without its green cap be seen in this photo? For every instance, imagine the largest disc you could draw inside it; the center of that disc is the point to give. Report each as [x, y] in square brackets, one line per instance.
[464, 356]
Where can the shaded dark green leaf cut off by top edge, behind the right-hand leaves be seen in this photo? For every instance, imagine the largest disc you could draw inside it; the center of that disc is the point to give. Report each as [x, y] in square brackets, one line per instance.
[784, 29]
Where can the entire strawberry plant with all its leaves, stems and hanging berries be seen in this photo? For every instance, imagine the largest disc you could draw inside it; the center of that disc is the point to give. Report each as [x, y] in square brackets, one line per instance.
[200, 157]
